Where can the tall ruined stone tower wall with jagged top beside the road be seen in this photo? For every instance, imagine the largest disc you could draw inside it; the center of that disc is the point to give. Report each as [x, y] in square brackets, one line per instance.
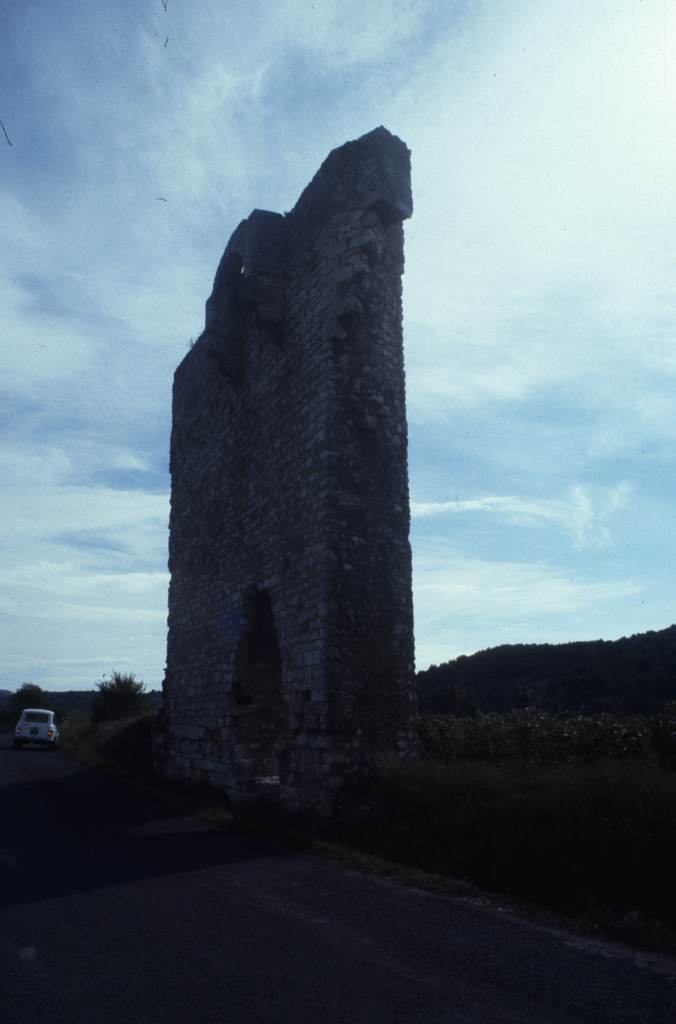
[290, 650]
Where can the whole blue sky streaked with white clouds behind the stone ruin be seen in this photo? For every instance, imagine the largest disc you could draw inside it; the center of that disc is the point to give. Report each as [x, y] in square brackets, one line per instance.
[539, 297]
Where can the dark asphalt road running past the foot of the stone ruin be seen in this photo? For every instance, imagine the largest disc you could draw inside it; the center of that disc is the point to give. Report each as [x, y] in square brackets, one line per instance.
[112, 911]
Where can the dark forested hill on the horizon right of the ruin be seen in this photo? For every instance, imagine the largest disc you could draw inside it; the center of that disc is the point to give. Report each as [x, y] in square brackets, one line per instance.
[635, 674]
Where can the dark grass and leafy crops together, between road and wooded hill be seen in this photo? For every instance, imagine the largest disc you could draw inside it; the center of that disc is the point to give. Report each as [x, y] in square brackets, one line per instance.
[576, 815]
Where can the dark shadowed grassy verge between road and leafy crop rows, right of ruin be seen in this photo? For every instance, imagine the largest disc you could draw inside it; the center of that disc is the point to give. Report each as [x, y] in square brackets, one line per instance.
[593, 841]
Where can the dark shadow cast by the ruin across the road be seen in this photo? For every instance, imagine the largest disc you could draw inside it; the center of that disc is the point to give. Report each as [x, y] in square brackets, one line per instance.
[84, 831]
